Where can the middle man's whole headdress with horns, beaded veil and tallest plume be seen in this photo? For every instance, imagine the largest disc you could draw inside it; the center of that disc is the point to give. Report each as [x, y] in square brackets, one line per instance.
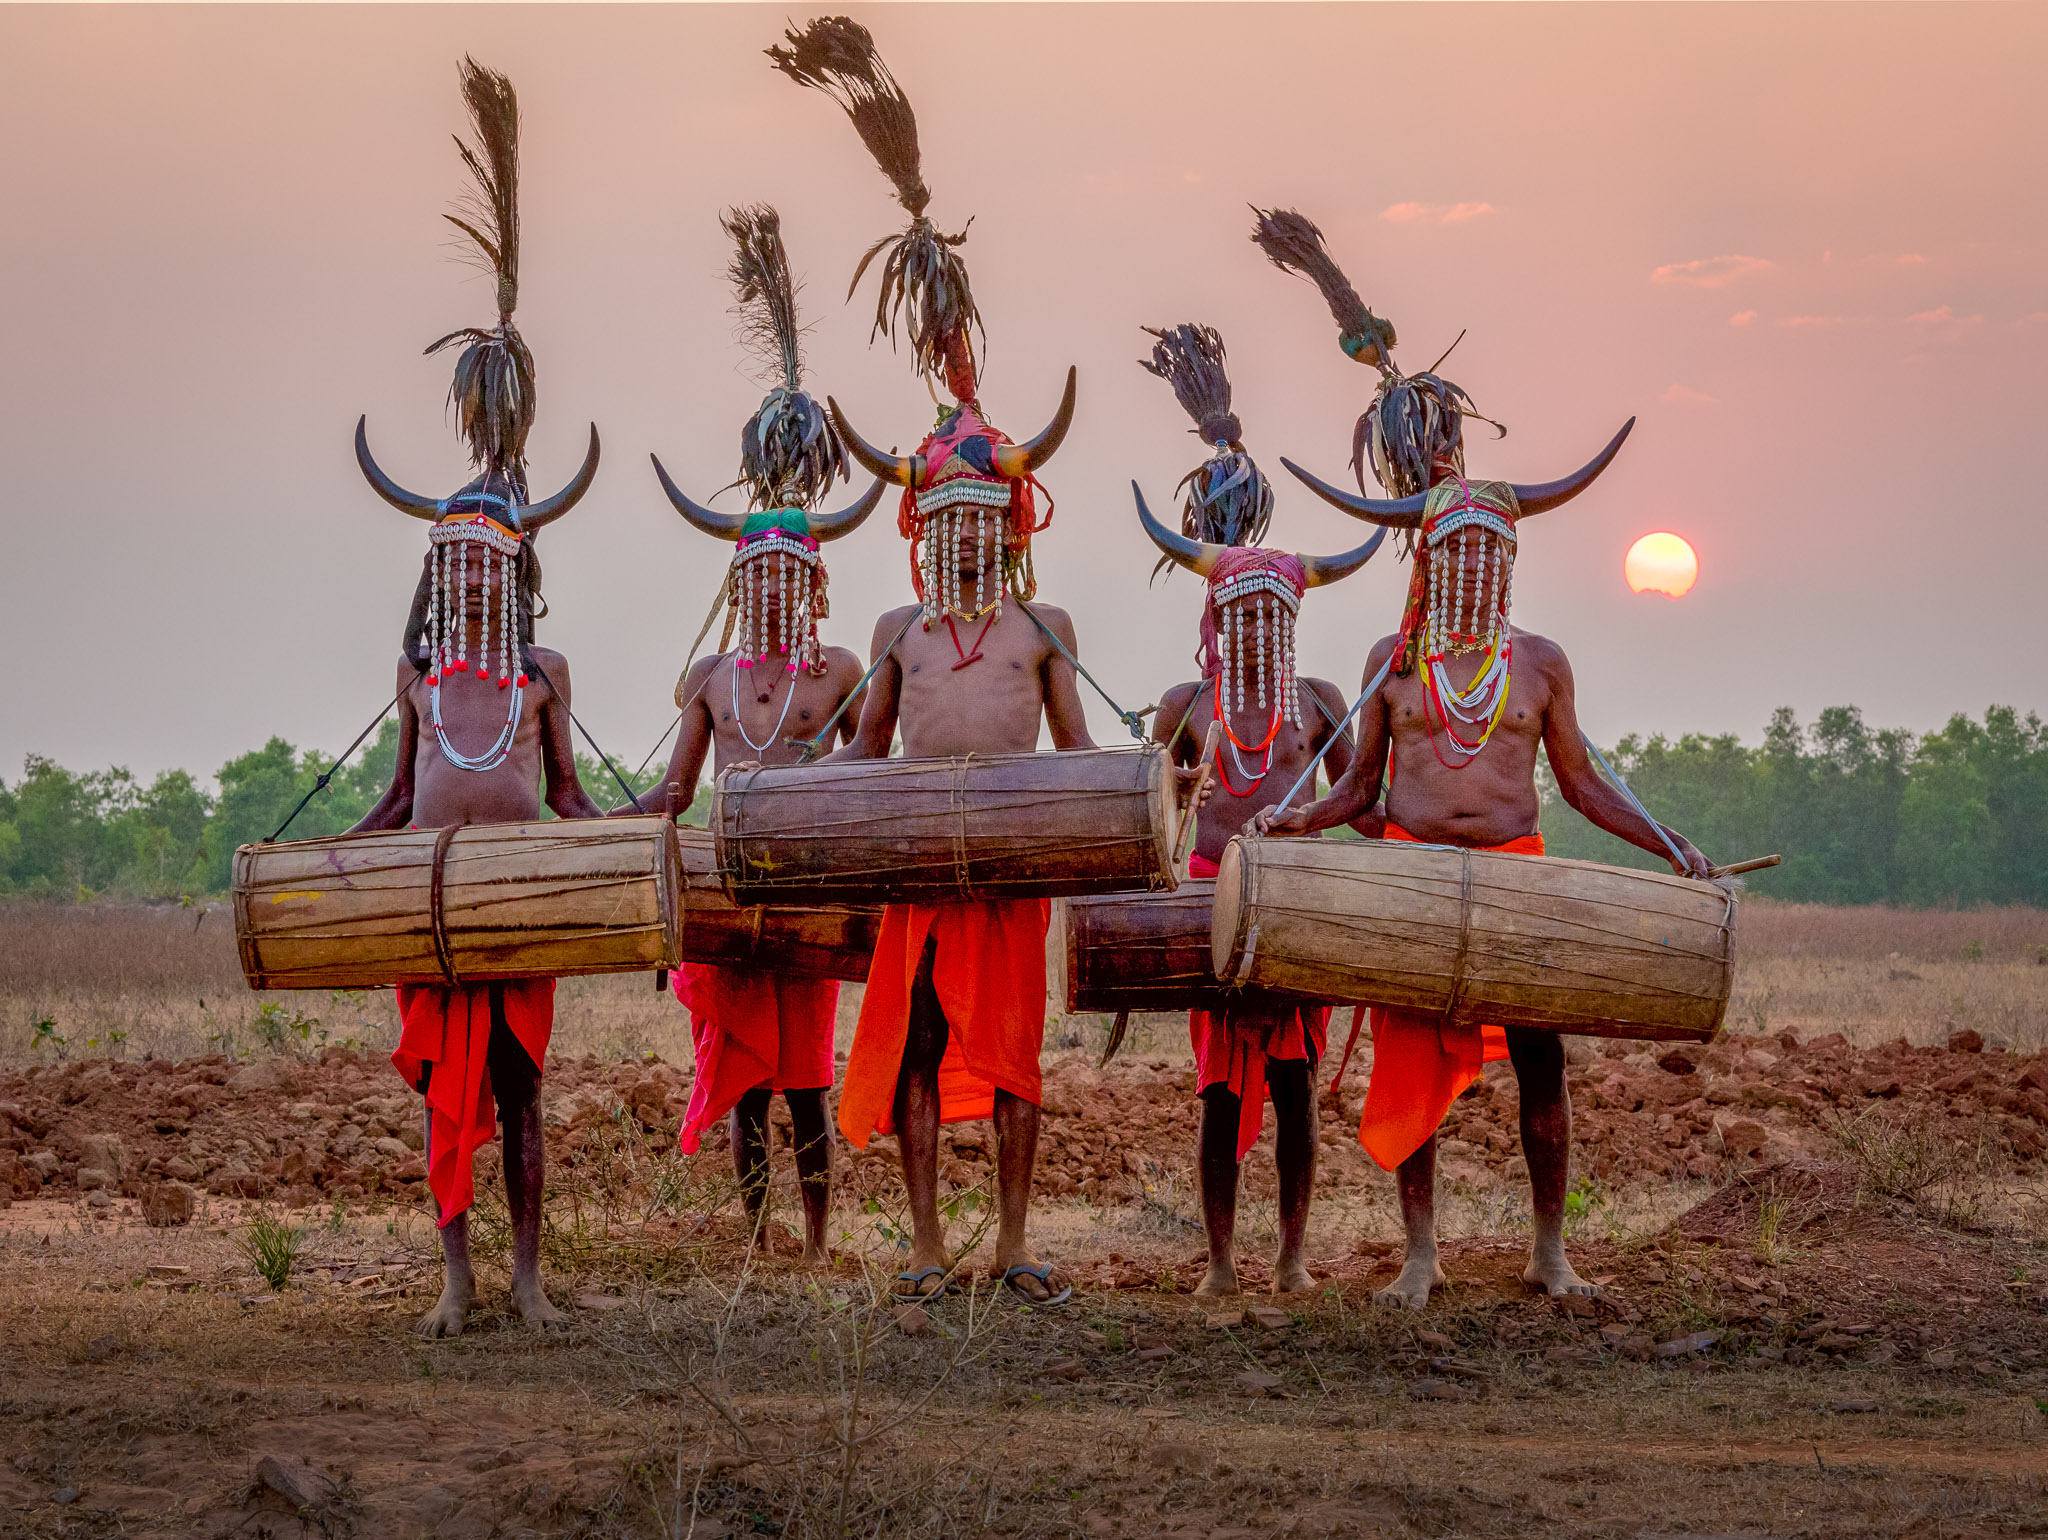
[966, 474]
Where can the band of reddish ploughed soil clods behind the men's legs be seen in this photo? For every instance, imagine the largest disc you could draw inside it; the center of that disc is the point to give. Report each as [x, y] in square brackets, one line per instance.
[343, 1127]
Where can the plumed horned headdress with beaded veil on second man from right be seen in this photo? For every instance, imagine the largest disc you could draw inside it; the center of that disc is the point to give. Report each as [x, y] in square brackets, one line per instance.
[1254, 595]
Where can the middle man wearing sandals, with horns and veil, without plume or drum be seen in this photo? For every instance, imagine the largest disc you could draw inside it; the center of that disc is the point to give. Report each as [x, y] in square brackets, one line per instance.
[972, 669]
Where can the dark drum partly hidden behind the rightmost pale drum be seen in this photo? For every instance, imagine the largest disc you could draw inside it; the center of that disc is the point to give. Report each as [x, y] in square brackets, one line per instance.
[1140, 951]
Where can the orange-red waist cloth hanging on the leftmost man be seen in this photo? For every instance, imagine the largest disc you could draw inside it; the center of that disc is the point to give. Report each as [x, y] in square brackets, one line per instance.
[450, 1033]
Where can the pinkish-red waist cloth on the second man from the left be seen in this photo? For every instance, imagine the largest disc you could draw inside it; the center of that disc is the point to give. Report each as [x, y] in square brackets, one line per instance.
[753, 1027]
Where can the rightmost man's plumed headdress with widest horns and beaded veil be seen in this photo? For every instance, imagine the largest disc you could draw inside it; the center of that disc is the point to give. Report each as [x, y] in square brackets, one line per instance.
[1467, 531]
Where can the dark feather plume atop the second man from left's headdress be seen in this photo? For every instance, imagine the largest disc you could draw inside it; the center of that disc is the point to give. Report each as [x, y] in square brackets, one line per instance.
[790, 450]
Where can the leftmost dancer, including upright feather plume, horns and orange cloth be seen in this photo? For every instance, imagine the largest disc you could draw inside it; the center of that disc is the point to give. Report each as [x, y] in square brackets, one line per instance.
[493, 740]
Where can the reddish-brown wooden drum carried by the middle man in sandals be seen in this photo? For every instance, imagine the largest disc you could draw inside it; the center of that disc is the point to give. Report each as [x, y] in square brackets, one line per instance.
[1009, 826]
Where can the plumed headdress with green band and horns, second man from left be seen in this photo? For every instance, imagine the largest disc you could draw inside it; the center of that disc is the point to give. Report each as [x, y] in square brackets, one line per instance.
[790, 456]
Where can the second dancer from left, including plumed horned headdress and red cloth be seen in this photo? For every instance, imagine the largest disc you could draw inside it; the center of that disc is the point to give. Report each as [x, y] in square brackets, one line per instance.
[761, 1031]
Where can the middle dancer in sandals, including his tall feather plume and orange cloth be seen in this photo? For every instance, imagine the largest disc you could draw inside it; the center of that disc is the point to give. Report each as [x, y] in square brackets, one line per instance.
[953, 1015]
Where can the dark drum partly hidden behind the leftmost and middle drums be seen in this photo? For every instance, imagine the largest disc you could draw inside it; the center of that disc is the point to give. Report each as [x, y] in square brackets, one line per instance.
[824, 941]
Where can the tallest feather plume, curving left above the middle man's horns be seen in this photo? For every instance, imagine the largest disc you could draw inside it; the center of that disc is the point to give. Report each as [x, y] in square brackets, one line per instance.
[923, 271]
